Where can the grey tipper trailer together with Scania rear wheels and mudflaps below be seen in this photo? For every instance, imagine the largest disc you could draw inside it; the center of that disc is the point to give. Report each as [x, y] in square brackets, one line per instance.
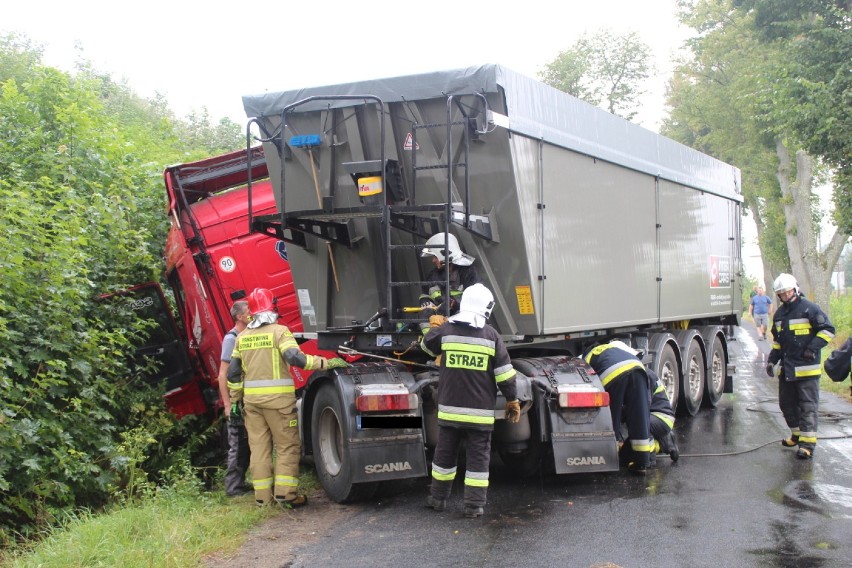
[584, 226]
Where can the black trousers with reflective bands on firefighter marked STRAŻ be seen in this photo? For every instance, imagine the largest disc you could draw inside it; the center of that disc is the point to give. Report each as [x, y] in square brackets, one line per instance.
[477, 458]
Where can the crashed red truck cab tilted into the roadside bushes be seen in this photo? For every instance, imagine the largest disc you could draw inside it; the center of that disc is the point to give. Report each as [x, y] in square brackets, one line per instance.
[211, 259]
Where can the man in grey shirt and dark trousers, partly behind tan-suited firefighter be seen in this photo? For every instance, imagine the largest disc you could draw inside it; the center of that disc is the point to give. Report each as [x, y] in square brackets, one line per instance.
[238, 448]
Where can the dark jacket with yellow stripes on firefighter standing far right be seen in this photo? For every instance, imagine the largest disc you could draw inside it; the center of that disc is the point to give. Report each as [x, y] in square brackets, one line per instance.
[799, 326]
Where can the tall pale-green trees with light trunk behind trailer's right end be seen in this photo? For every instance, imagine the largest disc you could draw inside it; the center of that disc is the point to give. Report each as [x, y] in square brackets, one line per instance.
[740, 98]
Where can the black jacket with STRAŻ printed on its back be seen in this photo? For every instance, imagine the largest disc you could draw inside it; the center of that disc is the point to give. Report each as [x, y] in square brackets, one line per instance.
[474, 364]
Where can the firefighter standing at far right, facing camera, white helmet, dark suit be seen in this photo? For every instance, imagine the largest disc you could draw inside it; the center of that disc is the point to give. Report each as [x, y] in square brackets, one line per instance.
[800, 329]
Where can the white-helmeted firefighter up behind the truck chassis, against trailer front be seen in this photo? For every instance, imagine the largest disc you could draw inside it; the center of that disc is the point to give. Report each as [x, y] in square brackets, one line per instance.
[462, 272]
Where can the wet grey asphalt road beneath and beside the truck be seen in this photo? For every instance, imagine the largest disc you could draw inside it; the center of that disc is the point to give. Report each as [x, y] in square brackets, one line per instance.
[735, 498]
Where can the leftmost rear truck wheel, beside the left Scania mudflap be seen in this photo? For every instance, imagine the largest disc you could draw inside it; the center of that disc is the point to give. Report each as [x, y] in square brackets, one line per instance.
[331, 450]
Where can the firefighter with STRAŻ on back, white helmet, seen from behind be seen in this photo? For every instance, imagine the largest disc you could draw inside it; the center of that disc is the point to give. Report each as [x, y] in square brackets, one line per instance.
[474, 364]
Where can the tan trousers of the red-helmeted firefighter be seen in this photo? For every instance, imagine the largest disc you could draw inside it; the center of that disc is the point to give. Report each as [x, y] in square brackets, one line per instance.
[278, 428]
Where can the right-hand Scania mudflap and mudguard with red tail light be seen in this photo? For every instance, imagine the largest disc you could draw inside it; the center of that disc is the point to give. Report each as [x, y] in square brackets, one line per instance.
[575, 407]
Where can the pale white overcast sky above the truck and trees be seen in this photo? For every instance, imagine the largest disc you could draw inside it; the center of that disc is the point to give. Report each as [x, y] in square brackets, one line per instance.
[209, 54]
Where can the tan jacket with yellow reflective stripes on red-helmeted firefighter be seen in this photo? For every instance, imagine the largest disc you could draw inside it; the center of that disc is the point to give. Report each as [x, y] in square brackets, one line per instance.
[264, 377]
